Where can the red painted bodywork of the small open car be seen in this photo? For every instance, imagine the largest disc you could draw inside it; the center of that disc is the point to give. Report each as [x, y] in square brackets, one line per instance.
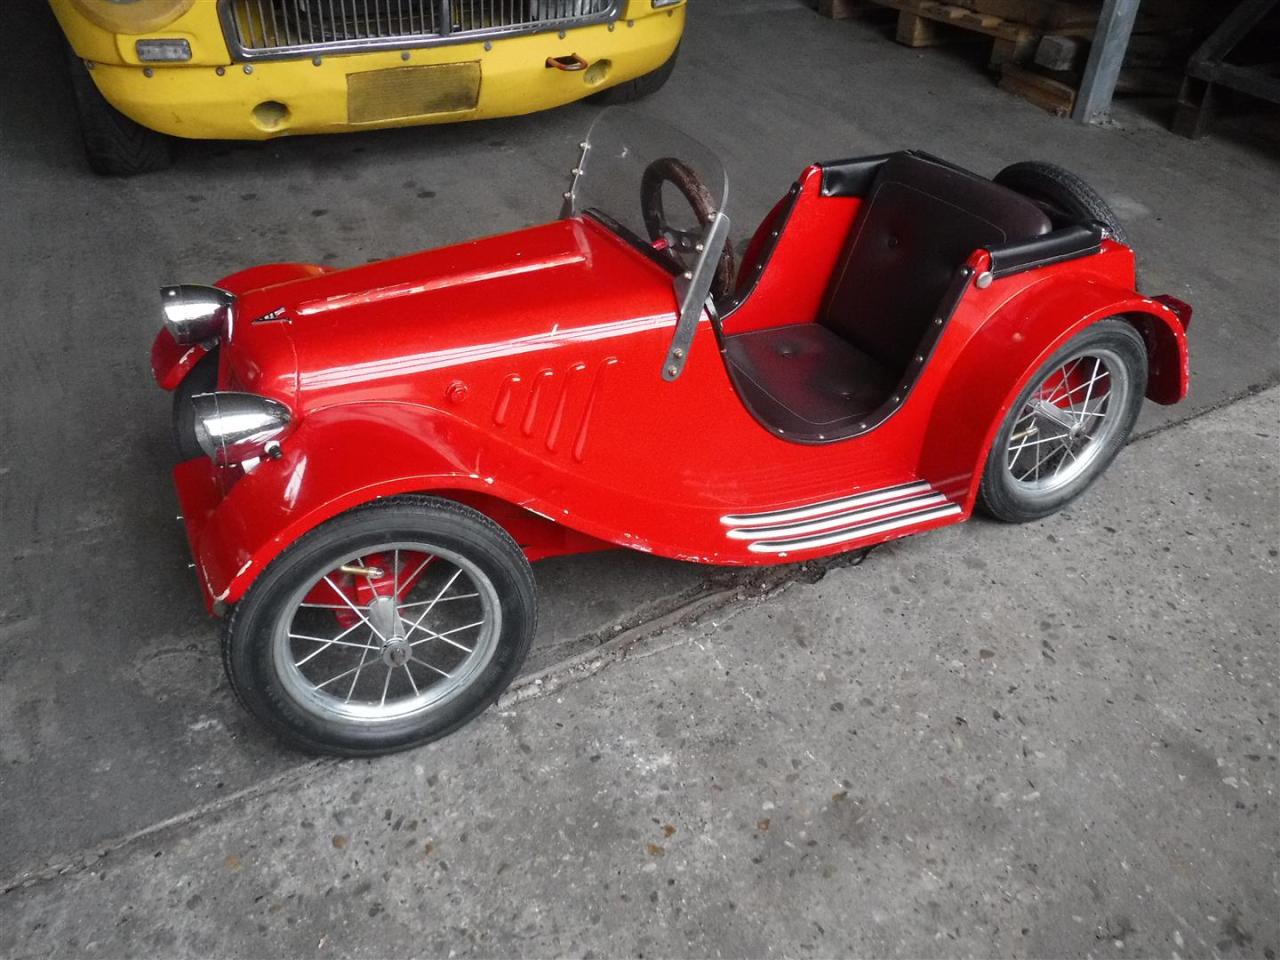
[522, 376]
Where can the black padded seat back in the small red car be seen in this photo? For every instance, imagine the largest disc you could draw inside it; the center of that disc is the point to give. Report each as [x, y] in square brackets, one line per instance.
[921, 221]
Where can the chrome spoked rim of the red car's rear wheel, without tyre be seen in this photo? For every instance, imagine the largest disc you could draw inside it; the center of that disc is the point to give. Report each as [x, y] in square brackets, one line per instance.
[1067, 422]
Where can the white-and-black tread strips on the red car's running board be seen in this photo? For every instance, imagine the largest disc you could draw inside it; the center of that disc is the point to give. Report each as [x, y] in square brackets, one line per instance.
[843, 520]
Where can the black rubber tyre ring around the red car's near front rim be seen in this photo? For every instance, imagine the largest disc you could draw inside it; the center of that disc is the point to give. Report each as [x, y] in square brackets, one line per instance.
[248, 629]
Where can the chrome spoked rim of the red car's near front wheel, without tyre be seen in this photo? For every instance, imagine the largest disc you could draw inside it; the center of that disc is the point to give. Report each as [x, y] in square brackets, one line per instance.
[394, 632]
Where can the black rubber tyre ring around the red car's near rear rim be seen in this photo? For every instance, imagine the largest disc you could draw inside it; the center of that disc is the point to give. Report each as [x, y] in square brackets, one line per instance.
[998, 497]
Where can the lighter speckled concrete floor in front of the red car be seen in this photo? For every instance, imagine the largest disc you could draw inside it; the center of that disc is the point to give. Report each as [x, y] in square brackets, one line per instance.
[1050, 740]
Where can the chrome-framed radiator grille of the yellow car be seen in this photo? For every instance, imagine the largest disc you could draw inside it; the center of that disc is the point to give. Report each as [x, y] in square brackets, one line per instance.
[436, 30]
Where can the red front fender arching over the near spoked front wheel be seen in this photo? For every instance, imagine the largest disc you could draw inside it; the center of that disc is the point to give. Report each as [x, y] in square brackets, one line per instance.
[340, 459]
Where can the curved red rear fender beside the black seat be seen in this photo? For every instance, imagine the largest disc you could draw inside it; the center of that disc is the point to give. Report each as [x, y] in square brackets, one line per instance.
[1023, 333]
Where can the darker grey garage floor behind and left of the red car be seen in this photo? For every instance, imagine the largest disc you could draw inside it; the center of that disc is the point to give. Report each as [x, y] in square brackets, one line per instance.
[113, 711]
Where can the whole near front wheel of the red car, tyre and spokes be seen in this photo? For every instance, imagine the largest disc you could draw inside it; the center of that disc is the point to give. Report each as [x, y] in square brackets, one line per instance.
[386, 628]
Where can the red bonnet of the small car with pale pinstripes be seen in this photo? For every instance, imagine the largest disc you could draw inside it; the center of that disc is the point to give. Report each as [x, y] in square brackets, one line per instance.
[373, 332]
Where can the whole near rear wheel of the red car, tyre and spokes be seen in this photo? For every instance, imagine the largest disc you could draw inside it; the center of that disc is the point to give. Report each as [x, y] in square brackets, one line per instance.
[1067, 426]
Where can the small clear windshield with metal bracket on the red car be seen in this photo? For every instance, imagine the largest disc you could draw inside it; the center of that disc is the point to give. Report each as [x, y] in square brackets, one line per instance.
[662, 191]
